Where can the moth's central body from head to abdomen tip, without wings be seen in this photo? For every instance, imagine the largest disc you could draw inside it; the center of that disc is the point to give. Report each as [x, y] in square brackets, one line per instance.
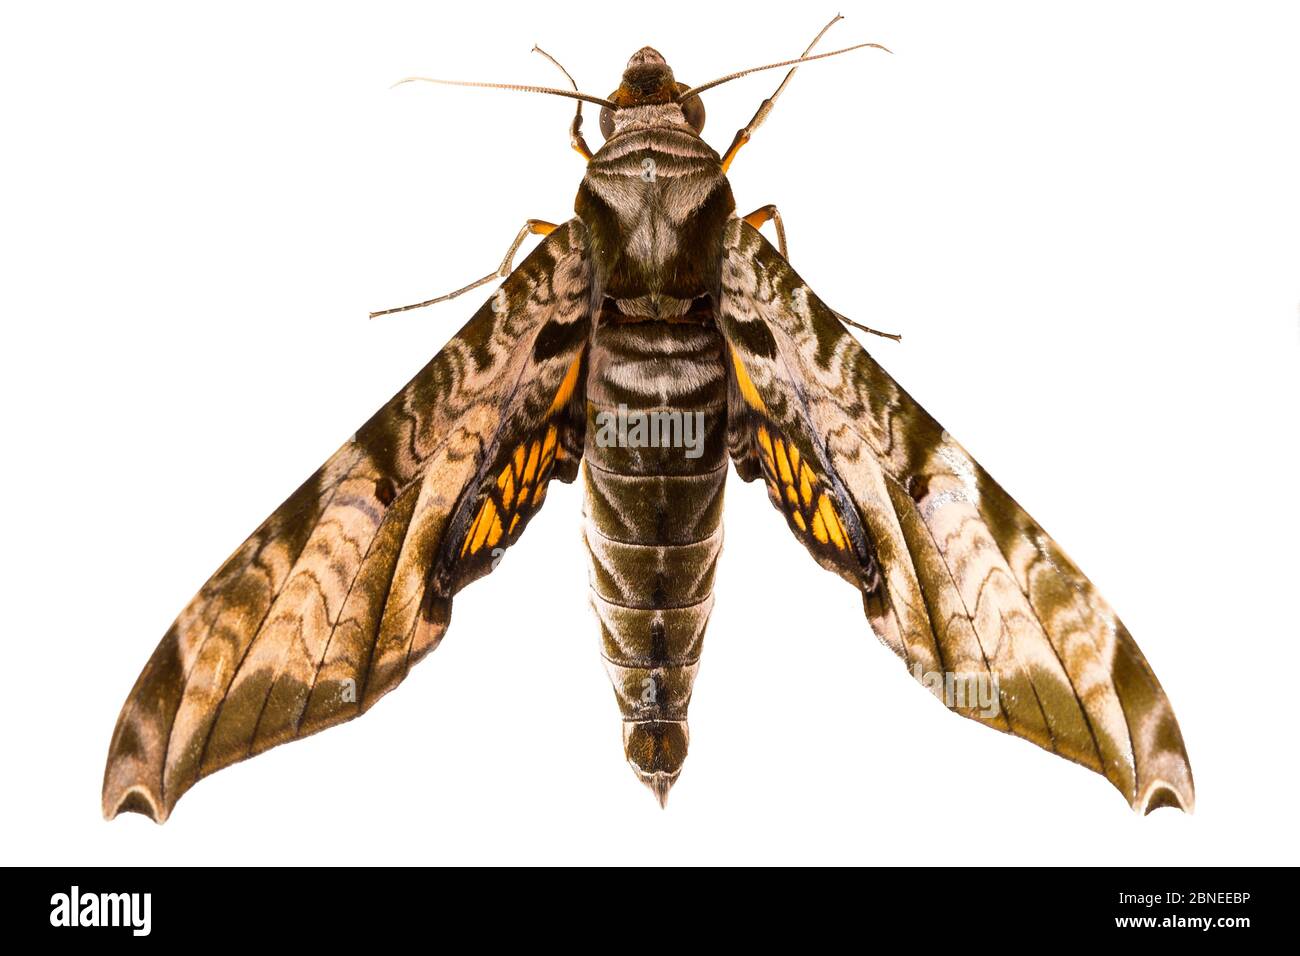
[655, 197]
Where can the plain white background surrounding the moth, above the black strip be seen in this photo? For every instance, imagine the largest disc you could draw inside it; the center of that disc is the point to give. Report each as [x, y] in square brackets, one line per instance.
[1085, 219]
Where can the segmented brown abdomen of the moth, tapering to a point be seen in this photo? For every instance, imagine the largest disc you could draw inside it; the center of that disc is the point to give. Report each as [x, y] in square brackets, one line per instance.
[655, 468]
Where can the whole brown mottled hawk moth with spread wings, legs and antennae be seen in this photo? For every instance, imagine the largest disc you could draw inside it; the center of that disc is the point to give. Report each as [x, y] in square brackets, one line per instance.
[658, 306]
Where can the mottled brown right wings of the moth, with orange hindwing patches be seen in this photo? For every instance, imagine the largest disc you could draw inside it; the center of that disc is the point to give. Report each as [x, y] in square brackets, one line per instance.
[956, 578]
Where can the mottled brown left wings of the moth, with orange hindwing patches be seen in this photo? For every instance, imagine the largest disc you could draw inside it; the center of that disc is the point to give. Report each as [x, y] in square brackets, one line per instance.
[330, 603]
